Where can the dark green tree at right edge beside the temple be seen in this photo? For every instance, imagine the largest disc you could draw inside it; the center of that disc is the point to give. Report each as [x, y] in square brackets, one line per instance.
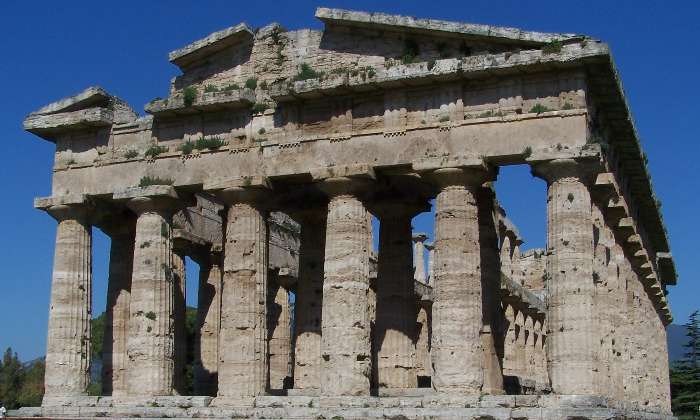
[685, 374]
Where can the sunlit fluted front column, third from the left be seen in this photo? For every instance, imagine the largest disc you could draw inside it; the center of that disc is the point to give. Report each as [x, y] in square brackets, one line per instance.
[243, 365]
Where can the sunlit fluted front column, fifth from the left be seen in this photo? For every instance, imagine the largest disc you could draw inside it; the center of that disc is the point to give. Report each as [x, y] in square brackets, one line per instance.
[457, 352]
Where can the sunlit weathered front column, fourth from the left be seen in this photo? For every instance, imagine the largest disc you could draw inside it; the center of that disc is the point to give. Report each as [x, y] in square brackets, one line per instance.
[345, 340]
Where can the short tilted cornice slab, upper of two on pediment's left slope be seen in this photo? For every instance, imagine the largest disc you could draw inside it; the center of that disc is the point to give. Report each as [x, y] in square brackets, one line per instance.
[215, 42]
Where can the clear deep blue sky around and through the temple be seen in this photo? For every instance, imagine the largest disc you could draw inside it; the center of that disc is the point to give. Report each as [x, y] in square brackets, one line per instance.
[52, 49]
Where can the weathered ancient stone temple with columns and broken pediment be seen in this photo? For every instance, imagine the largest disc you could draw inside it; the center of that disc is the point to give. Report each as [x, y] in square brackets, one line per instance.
[265, 166]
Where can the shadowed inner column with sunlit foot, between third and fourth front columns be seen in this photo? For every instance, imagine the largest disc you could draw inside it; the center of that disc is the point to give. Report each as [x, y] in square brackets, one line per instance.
[309, 298]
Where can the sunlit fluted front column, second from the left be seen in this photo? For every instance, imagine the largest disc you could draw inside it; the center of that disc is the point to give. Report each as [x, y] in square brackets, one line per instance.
[151, 342]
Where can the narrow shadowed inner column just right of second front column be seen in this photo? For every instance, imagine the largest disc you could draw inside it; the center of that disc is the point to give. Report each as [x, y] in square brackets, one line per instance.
[180, 299]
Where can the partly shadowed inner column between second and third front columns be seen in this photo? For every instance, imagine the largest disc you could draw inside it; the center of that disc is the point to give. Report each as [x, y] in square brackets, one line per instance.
[206, 353]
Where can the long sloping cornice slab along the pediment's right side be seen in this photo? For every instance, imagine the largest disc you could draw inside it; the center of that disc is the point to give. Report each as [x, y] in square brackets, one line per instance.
[409, 24]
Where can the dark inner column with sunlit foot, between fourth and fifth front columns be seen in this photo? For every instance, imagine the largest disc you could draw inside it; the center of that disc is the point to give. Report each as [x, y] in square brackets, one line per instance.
[395, 325]
